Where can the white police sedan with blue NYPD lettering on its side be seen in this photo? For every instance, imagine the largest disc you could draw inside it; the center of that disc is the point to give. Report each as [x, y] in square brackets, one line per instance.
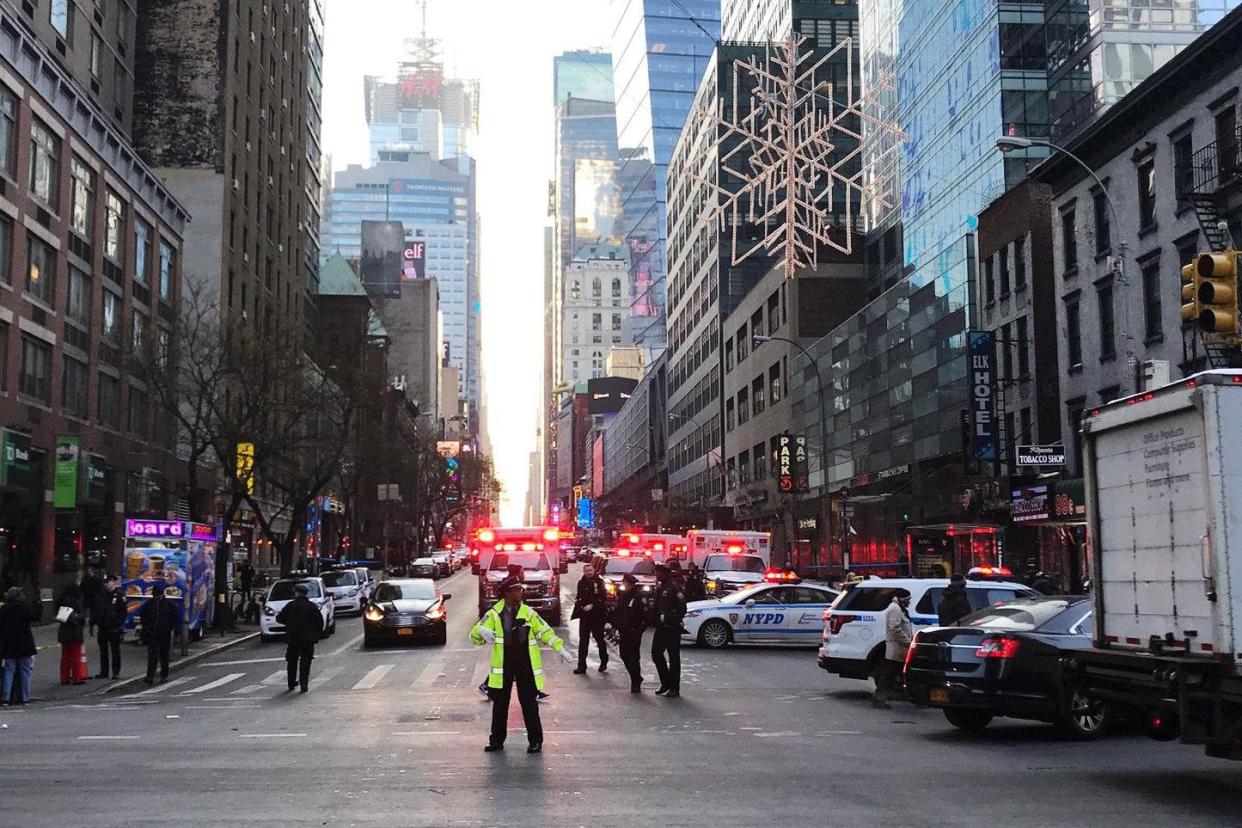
[766, 613]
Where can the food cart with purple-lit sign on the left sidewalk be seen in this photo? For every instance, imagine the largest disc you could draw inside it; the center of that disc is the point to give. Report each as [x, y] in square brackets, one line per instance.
[179, 554]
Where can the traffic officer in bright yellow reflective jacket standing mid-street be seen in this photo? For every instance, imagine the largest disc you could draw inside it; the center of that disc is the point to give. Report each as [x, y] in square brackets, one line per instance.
[515, 631]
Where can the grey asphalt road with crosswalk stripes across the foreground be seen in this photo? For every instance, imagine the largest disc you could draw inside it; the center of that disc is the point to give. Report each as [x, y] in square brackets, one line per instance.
[396, 737]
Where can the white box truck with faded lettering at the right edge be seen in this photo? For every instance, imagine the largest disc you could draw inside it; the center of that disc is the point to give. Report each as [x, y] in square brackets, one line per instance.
[1163, 474]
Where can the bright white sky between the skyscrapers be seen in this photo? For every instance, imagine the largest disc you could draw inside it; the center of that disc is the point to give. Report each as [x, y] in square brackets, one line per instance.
[510, 48]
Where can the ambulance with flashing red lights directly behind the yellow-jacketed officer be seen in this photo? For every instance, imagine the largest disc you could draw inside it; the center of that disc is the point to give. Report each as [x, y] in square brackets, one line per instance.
[536, 551]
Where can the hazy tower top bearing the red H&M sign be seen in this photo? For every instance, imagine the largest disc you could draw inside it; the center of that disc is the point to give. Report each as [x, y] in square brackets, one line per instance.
[422, 110]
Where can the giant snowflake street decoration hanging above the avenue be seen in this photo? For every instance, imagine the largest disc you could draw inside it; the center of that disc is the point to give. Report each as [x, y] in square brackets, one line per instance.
[797, 151]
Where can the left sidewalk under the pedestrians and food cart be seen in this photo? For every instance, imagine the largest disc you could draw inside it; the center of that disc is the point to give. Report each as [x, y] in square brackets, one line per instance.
[47, 686]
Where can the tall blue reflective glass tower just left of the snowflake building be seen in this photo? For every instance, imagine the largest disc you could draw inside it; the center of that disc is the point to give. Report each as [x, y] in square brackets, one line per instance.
[660, 54]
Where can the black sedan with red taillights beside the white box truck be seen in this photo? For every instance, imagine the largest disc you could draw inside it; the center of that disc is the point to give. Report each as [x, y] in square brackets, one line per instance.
[1009, 661]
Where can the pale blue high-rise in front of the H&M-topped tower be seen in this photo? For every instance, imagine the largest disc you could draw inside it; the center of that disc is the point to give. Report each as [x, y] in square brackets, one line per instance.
[435, 204]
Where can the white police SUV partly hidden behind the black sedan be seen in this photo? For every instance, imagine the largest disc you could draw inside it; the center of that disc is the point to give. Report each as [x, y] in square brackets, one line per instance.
[854, 626]
